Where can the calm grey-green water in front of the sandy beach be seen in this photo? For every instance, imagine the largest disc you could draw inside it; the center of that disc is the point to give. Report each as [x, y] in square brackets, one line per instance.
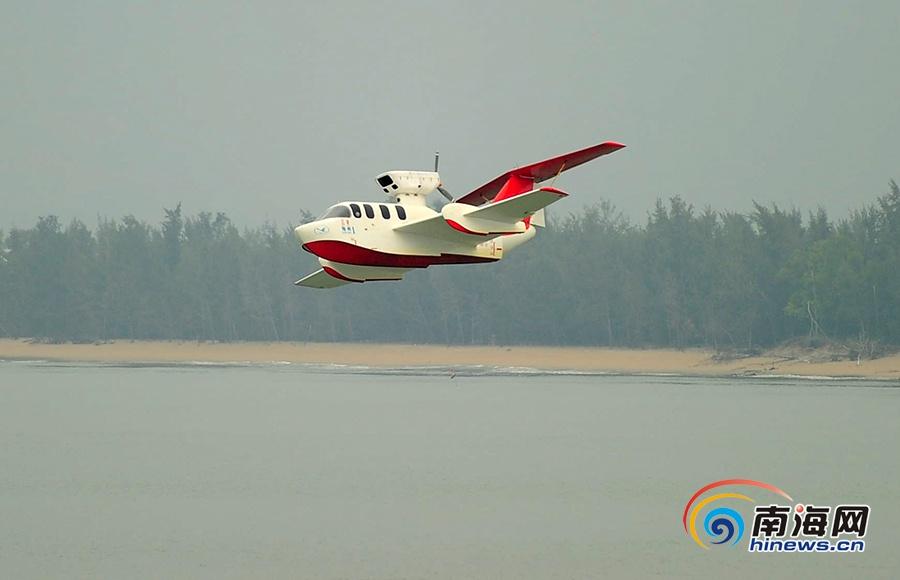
[293, 472]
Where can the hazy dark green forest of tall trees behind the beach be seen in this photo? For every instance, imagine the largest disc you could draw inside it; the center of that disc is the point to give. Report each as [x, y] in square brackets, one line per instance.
[684, 277]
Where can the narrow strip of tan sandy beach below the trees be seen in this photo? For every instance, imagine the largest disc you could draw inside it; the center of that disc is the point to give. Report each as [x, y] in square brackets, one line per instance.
[688, 362]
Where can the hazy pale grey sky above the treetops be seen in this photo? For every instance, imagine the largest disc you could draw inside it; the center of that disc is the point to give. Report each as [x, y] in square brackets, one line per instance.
[261, 108]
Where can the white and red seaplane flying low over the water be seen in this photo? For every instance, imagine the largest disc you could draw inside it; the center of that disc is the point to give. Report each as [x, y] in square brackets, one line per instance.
[361, 241]
